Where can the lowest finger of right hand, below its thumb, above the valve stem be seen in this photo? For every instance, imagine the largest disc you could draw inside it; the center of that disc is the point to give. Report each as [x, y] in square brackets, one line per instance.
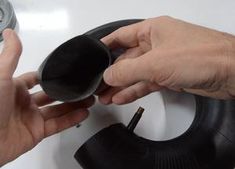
[135, 92]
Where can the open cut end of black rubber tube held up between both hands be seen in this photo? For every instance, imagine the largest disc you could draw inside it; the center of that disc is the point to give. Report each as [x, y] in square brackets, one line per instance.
[74, 70]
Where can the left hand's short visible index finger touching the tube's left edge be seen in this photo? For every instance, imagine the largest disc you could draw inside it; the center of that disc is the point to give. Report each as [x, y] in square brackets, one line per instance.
[30, 79]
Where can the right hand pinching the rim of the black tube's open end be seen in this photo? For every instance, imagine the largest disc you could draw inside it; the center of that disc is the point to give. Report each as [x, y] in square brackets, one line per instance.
[168, 53]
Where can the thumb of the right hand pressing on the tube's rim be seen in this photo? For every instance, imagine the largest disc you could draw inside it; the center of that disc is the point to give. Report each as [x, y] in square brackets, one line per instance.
[128, 71]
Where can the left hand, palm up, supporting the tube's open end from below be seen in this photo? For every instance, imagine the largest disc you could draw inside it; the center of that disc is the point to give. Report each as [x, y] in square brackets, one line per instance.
[26, 119]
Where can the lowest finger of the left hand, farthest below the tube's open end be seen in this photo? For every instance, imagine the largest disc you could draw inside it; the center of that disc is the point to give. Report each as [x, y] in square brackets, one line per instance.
[56, 125]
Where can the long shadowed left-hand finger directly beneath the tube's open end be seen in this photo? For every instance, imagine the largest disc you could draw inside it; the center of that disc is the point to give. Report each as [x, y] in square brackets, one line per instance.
[61, 109]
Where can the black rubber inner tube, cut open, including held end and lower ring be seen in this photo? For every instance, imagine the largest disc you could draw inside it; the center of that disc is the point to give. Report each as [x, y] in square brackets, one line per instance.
[208, 144]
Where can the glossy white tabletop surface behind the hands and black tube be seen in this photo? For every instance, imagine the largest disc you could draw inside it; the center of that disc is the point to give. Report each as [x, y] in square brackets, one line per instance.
[45, 24]
